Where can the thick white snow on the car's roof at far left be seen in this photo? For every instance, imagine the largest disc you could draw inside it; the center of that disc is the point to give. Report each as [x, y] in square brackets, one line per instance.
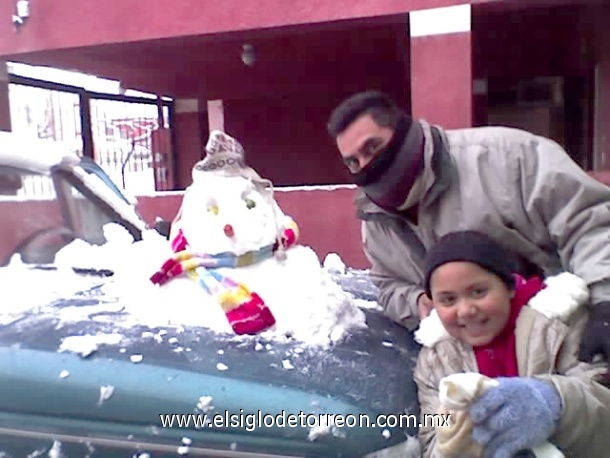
[33, 154]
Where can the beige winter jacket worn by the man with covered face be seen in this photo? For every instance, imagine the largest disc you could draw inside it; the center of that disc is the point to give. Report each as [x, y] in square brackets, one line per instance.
[522, 190]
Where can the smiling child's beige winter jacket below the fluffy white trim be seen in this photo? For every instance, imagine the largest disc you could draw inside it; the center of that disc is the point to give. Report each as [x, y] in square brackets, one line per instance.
[547, 349]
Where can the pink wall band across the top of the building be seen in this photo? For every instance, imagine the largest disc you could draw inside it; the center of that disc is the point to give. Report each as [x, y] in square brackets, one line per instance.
[57, 24]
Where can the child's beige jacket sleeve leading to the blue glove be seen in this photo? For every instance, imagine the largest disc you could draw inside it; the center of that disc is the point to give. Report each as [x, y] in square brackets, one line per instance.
[584, 427]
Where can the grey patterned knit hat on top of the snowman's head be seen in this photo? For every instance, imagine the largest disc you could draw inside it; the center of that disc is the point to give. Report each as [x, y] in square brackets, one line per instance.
[225, 157]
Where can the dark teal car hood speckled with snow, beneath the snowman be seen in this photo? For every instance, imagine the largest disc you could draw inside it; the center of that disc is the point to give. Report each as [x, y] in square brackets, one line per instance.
[369, 372]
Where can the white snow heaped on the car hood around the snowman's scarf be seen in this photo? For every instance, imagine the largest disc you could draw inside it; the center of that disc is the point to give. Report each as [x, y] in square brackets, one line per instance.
[308, 305]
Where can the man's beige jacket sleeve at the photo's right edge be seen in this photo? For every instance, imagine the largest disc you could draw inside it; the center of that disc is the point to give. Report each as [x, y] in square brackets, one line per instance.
[574, 207]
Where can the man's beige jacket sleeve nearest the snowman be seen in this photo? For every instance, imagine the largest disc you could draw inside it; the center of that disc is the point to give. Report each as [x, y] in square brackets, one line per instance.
[393, 273]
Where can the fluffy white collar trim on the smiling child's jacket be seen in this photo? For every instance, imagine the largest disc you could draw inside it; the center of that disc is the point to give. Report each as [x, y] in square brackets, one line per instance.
[563, 296]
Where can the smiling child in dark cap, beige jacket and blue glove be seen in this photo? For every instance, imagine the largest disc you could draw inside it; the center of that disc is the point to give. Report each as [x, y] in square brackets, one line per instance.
[545, 393]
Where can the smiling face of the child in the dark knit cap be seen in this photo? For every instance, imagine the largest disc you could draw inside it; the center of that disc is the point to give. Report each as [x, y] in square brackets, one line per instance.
[472, 303]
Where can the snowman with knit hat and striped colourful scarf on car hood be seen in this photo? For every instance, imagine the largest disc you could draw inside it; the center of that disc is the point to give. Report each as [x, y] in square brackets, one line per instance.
[232, 239]
